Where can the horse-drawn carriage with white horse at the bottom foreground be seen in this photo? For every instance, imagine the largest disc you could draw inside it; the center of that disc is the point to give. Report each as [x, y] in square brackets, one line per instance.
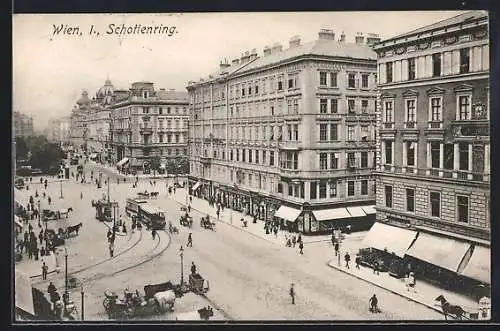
[134, 305]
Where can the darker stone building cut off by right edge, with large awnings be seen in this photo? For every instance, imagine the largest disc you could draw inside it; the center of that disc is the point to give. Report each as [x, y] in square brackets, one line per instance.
[433, 175]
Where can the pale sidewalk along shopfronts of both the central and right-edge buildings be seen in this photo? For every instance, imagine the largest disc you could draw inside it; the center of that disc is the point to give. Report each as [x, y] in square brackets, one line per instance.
[425, 293]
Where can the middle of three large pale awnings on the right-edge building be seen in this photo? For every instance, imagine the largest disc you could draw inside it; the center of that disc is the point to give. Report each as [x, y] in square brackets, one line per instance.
[441, 251]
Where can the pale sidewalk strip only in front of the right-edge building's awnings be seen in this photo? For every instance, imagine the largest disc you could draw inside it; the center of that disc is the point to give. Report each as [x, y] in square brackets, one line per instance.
[423, 293]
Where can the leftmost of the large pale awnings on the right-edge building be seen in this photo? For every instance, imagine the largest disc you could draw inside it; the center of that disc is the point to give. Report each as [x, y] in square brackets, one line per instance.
[391, 238]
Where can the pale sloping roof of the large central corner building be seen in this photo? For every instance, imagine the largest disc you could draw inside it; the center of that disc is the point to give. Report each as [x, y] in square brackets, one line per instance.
[321, 47]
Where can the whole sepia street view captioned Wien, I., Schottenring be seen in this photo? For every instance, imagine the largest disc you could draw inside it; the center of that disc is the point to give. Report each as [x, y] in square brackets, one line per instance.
[251, 167]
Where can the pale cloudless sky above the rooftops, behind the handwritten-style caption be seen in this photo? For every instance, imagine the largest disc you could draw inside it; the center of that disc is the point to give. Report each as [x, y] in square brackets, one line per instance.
[51, 70]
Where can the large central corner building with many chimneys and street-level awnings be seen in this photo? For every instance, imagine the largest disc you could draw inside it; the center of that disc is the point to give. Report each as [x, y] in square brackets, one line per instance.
[290, 134]
